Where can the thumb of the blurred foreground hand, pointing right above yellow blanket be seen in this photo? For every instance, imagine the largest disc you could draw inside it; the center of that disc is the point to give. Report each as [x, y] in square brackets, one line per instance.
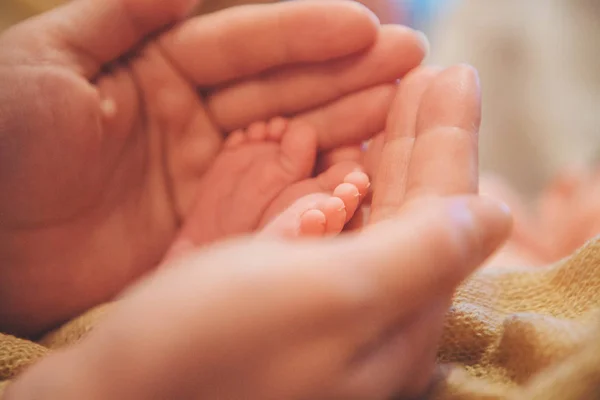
[428, 250]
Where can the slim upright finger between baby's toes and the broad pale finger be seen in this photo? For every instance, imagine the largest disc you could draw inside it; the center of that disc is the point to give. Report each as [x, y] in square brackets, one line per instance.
[398, 139]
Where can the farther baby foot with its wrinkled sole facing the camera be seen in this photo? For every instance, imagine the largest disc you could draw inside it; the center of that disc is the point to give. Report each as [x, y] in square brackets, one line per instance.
[254, 167]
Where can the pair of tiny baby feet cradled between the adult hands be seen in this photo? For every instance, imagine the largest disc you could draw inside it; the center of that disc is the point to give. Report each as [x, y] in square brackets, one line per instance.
[262, 180]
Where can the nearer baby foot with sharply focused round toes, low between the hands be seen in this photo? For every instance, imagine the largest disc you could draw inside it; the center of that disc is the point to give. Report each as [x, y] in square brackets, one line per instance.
[319, 214]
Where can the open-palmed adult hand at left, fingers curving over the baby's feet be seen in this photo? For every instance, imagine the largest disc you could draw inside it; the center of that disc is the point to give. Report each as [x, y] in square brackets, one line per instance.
[109, 114]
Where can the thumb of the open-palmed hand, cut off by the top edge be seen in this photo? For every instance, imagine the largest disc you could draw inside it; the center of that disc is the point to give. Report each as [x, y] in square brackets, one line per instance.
[96, 32]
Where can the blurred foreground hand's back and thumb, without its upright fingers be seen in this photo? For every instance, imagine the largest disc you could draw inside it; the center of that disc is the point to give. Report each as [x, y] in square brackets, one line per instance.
[256, 319]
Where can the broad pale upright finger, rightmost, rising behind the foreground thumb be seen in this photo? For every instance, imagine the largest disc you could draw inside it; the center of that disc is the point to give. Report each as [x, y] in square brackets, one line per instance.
[444, 158]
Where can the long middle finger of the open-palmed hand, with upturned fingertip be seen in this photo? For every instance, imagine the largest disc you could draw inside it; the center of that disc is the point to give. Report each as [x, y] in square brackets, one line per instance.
[300, 87]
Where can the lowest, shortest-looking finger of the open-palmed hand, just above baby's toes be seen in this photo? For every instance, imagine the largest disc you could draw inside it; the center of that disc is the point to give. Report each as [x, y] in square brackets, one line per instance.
[351, 119]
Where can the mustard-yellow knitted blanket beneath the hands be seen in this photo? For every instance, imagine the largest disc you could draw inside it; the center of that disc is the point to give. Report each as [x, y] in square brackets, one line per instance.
[511, 334]
